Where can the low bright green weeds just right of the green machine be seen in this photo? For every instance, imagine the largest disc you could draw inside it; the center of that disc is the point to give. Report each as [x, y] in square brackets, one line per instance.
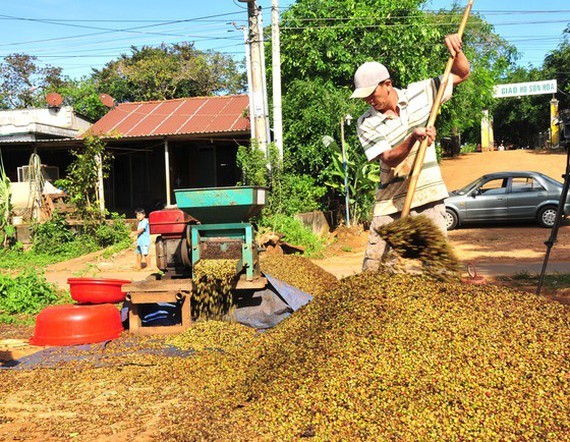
[294, 232]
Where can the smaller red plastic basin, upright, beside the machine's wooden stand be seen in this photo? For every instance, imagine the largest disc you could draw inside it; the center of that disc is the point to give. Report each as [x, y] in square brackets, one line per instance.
[96, 290]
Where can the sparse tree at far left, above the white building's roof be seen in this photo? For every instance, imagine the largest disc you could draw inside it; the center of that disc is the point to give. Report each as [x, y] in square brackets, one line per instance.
[23, 83]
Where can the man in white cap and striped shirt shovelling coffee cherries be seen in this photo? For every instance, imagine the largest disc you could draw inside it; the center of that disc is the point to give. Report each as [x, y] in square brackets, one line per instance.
[390, 131]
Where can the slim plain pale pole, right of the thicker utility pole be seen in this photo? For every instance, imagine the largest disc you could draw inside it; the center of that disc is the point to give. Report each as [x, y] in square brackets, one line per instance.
[276, 64]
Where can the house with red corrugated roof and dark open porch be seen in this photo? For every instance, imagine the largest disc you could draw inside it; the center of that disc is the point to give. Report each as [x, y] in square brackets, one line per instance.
[160, 146]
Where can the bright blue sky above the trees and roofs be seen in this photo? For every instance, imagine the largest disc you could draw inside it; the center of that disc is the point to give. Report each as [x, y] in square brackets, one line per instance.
[79, 35]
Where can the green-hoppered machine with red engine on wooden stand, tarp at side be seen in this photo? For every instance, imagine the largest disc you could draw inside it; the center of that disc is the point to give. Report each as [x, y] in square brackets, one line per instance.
[214, 224]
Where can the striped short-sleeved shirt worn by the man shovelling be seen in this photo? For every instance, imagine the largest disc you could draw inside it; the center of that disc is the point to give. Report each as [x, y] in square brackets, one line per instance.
[379, 133]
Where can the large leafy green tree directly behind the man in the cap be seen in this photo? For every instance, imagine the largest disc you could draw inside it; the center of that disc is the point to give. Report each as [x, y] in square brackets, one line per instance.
[322, 44]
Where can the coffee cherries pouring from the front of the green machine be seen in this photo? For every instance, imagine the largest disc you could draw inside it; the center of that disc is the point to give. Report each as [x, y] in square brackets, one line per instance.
[214, 279]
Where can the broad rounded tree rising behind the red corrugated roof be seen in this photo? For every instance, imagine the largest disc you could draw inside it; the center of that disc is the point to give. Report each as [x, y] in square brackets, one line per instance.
[169, 71]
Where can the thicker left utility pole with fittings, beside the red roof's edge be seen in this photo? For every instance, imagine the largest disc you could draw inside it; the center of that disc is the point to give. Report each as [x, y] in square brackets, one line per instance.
[258, 113]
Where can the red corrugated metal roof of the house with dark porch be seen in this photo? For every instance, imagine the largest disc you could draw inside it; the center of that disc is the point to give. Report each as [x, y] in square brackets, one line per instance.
[183, 116]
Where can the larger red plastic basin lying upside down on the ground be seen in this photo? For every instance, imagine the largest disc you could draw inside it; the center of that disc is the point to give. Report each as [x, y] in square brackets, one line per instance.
[74, 324]
